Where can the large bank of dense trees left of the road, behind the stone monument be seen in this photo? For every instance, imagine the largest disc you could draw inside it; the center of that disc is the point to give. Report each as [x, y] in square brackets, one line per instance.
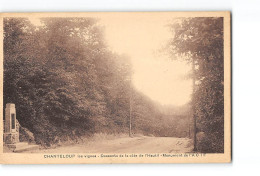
[66, 83]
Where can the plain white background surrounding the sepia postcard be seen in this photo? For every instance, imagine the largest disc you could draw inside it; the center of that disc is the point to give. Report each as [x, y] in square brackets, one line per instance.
[246, 85]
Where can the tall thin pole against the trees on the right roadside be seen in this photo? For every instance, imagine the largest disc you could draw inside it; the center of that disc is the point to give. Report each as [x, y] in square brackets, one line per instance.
[193, 106]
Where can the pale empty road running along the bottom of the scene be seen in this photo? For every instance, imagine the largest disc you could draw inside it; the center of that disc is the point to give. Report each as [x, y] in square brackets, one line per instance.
[128, 145]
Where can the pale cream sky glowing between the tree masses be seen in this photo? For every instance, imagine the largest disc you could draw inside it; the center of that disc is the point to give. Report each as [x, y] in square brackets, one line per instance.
[155, 75]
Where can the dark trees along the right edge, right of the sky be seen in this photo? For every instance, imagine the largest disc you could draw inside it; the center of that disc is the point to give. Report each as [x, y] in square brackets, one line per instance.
[199, 41]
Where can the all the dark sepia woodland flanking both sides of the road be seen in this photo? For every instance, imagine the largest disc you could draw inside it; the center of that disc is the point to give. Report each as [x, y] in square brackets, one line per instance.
[67, 84]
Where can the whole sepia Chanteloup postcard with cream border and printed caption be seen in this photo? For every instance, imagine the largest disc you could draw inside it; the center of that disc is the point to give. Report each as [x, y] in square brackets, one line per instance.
[115, 87]
